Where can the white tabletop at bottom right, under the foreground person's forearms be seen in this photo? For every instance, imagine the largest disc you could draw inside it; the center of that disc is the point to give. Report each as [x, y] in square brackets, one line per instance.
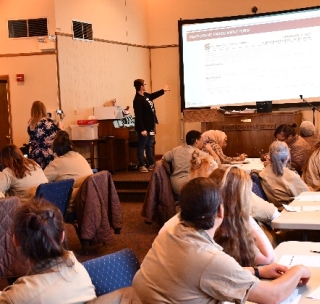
[303, 248]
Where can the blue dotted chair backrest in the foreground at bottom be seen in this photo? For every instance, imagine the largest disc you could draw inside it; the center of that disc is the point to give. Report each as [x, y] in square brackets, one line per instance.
[112, 271]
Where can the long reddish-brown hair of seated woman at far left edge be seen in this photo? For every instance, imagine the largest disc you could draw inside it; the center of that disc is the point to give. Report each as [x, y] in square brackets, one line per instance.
[13, 158]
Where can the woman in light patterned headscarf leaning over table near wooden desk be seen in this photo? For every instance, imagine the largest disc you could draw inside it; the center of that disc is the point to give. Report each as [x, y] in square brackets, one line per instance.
[217, 140]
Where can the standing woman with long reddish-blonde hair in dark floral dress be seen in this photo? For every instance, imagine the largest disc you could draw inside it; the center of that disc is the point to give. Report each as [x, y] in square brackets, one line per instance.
[42, 131]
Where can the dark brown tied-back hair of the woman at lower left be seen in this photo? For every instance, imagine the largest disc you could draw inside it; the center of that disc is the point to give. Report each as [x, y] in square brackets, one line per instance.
[38, 228]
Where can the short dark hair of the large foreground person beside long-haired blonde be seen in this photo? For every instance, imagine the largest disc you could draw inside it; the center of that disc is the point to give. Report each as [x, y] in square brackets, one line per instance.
[199, 202]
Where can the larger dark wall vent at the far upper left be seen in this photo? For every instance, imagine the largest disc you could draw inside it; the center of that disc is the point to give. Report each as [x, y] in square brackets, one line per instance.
[28, 28]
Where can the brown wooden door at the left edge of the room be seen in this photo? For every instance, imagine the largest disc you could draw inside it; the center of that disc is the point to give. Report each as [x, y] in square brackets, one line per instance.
[5, 112]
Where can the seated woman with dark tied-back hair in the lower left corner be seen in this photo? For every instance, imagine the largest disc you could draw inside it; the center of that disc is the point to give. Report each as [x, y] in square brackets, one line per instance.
[56, 276]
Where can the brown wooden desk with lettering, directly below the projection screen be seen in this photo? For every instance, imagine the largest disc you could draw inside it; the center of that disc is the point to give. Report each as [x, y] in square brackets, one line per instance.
[251, 133]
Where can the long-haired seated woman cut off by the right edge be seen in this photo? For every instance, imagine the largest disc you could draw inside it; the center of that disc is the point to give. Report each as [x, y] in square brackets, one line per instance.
[311, 169]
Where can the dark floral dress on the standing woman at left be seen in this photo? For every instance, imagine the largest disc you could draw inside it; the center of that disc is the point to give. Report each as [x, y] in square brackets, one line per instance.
[41, 141]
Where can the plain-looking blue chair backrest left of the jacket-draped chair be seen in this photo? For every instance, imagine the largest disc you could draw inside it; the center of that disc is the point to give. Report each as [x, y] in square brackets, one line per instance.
[58, 193]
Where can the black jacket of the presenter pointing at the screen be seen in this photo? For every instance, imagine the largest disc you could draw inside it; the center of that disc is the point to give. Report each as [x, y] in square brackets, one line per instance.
[145, 112]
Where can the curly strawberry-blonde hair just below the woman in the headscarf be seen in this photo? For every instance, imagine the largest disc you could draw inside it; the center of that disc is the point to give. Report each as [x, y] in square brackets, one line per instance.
[201, 166]
